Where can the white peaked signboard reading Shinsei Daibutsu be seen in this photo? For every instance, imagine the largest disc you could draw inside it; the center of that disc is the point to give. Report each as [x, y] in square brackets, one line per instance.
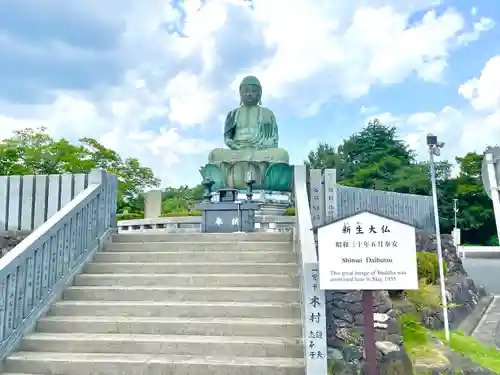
[367, 252]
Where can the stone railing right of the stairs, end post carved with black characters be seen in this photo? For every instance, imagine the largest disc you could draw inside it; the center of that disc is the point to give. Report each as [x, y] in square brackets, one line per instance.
[312, 298]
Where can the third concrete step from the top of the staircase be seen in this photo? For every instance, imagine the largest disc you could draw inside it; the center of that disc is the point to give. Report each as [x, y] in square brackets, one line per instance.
[197, 256]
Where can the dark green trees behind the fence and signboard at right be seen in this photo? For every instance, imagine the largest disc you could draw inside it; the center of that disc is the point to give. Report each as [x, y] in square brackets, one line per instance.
[375, 158]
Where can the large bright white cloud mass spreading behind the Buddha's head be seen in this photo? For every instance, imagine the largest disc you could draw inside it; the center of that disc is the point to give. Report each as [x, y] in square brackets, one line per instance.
[305, 52]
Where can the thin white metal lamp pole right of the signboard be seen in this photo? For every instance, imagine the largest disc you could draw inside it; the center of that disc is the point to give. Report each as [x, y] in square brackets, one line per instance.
[444, 300]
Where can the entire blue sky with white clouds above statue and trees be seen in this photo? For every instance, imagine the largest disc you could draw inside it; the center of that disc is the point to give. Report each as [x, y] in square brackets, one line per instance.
[154, 79]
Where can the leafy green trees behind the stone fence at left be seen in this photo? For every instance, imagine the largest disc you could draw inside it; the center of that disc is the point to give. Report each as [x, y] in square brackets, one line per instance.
[33, 151]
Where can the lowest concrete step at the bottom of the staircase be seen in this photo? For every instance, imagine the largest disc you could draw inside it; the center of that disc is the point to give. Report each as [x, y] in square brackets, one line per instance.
[137, 364]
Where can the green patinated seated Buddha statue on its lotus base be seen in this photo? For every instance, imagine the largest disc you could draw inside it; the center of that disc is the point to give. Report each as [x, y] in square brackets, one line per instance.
[251, 135]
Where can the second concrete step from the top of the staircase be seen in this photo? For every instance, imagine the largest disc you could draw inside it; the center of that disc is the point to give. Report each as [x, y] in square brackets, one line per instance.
[199, 246]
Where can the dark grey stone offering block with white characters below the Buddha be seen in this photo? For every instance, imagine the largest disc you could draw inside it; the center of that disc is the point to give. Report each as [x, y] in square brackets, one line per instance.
[227, 217]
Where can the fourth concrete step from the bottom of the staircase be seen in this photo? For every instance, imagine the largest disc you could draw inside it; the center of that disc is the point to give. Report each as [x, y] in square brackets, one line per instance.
[178, 309]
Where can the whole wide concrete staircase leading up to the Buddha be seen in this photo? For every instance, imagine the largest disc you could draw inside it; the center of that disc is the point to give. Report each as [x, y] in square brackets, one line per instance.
[178, 304]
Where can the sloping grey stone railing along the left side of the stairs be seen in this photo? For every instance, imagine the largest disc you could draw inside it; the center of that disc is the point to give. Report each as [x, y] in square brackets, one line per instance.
[35, 271]
